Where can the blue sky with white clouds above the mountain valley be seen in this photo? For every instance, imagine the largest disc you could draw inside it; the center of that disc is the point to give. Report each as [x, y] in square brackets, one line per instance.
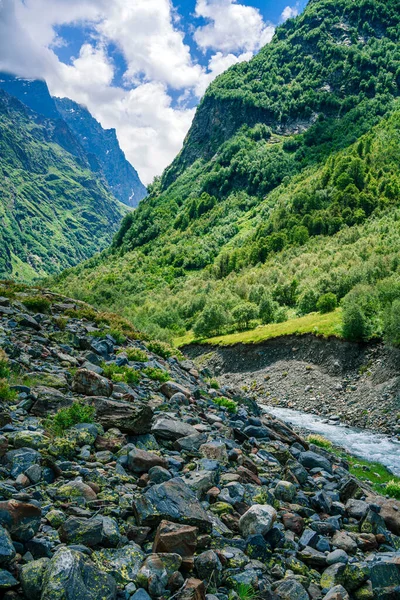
[140, 66]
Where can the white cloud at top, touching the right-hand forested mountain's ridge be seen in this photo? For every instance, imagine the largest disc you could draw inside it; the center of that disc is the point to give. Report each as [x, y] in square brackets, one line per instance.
[232, 27]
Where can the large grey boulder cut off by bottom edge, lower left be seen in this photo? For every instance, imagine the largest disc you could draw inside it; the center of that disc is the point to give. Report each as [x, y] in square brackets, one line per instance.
[70, 576]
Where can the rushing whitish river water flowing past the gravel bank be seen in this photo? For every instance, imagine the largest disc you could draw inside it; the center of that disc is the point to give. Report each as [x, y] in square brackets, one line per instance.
[365, 444]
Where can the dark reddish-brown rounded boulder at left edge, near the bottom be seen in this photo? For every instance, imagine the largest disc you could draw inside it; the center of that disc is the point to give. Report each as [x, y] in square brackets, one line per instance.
[21, 519]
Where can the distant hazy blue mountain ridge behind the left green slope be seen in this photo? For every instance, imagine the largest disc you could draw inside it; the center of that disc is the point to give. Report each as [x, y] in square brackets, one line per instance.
[102, 146]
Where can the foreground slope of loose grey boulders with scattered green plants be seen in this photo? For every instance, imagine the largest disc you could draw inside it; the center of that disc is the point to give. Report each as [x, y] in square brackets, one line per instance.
[165, 493]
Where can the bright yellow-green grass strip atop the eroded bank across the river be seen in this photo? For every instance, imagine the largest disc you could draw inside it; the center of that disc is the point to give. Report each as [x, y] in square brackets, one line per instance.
[326, 325]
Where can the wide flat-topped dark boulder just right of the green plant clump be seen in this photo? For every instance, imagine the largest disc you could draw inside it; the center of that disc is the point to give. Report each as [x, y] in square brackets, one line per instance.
[130, 418]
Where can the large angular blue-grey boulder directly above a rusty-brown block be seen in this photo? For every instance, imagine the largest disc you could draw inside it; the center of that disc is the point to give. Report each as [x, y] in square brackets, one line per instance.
[173, 501]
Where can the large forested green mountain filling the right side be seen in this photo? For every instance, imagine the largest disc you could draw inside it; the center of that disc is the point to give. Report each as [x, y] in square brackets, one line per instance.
[285, 193]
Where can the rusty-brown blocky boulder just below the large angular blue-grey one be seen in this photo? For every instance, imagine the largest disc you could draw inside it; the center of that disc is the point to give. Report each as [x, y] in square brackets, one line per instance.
[179, 539]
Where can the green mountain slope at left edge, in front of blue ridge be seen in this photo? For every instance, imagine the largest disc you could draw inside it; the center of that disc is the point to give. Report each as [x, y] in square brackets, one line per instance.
[54, 212]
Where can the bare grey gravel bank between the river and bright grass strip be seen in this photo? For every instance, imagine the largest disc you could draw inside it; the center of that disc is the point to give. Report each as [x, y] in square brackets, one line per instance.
[359, 383]
